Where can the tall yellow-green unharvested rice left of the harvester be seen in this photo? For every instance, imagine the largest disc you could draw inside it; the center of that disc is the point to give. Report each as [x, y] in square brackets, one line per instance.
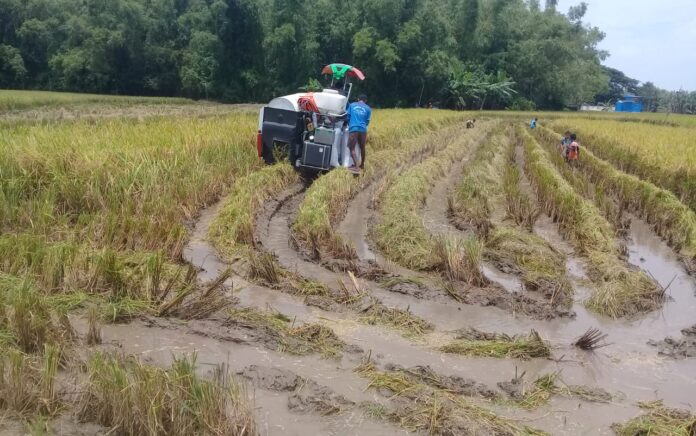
[101, 207]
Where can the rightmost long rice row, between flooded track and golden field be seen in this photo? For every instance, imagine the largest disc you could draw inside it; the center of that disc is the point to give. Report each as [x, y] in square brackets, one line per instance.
[672, 219]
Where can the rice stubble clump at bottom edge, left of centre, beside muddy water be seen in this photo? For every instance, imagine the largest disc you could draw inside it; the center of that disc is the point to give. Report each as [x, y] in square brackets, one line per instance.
[137, 399]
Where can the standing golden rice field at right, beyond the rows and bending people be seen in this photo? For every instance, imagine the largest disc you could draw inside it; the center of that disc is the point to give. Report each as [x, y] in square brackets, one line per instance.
[660, 154]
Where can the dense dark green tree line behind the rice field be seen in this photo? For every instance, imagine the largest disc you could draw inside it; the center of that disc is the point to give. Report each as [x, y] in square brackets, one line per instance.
[454, 53]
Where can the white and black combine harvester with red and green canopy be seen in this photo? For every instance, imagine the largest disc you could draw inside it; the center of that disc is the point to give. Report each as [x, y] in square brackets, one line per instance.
[310, 128]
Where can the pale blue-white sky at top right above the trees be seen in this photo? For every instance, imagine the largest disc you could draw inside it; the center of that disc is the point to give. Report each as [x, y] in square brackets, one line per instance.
[649, 40]
